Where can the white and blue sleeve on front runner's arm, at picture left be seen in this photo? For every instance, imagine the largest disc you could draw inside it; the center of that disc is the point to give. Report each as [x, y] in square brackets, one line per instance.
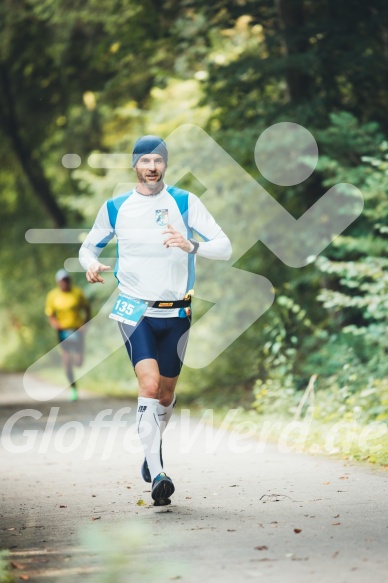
[100, 235]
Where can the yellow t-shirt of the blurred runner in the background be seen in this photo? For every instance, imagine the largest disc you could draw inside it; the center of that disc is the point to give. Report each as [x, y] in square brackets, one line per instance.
[68, 307]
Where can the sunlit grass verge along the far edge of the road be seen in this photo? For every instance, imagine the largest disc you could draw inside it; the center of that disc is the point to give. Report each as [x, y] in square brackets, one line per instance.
[346, 438]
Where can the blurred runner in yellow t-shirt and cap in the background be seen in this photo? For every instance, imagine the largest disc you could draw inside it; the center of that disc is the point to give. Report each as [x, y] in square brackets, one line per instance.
[68, 310]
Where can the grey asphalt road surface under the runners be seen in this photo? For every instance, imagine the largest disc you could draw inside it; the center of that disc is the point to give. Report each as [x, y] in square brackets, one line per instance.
[73, 506]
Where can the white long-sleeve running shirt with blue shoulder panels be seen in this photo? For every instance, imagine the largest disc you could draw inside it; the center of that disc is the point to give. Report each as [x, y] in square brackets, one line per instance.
[145, 268]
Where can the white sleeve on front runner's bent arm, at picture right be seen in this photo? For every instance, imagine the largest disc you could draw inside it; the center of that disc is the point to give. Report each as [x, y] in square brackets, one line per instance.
[216, 244]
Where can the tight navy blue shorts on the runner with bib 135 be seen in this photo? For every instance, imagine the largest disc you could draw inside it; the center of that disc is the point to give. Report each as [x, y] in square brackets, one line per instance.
[158, 338]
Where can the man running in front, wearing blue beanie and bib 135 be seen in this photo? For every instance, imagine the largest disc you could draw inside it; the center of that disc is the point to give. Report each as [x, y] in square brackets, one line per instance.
[154, 226]
